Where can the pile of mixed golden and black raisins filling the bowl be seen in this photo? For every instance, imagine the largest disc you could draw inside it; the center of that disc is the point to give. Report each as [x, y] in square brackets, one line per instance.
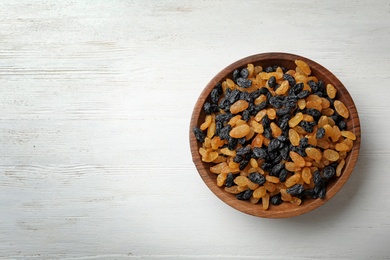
[274, 135]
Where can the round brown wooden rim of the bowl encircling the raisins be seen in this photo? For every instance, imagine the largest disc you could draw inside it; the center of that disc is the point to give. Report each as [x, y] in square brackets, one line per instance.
[310, 204]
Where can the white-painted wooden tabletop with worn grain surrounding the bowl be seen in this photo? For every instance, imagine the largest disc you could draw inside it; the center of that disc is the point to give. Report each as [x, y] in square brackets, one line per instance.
[95, 104]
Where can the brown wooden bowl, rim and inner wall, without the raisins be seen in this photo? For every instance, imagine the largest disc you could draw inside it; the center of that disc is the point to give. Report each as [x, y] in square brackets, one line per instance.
[284, 210]
